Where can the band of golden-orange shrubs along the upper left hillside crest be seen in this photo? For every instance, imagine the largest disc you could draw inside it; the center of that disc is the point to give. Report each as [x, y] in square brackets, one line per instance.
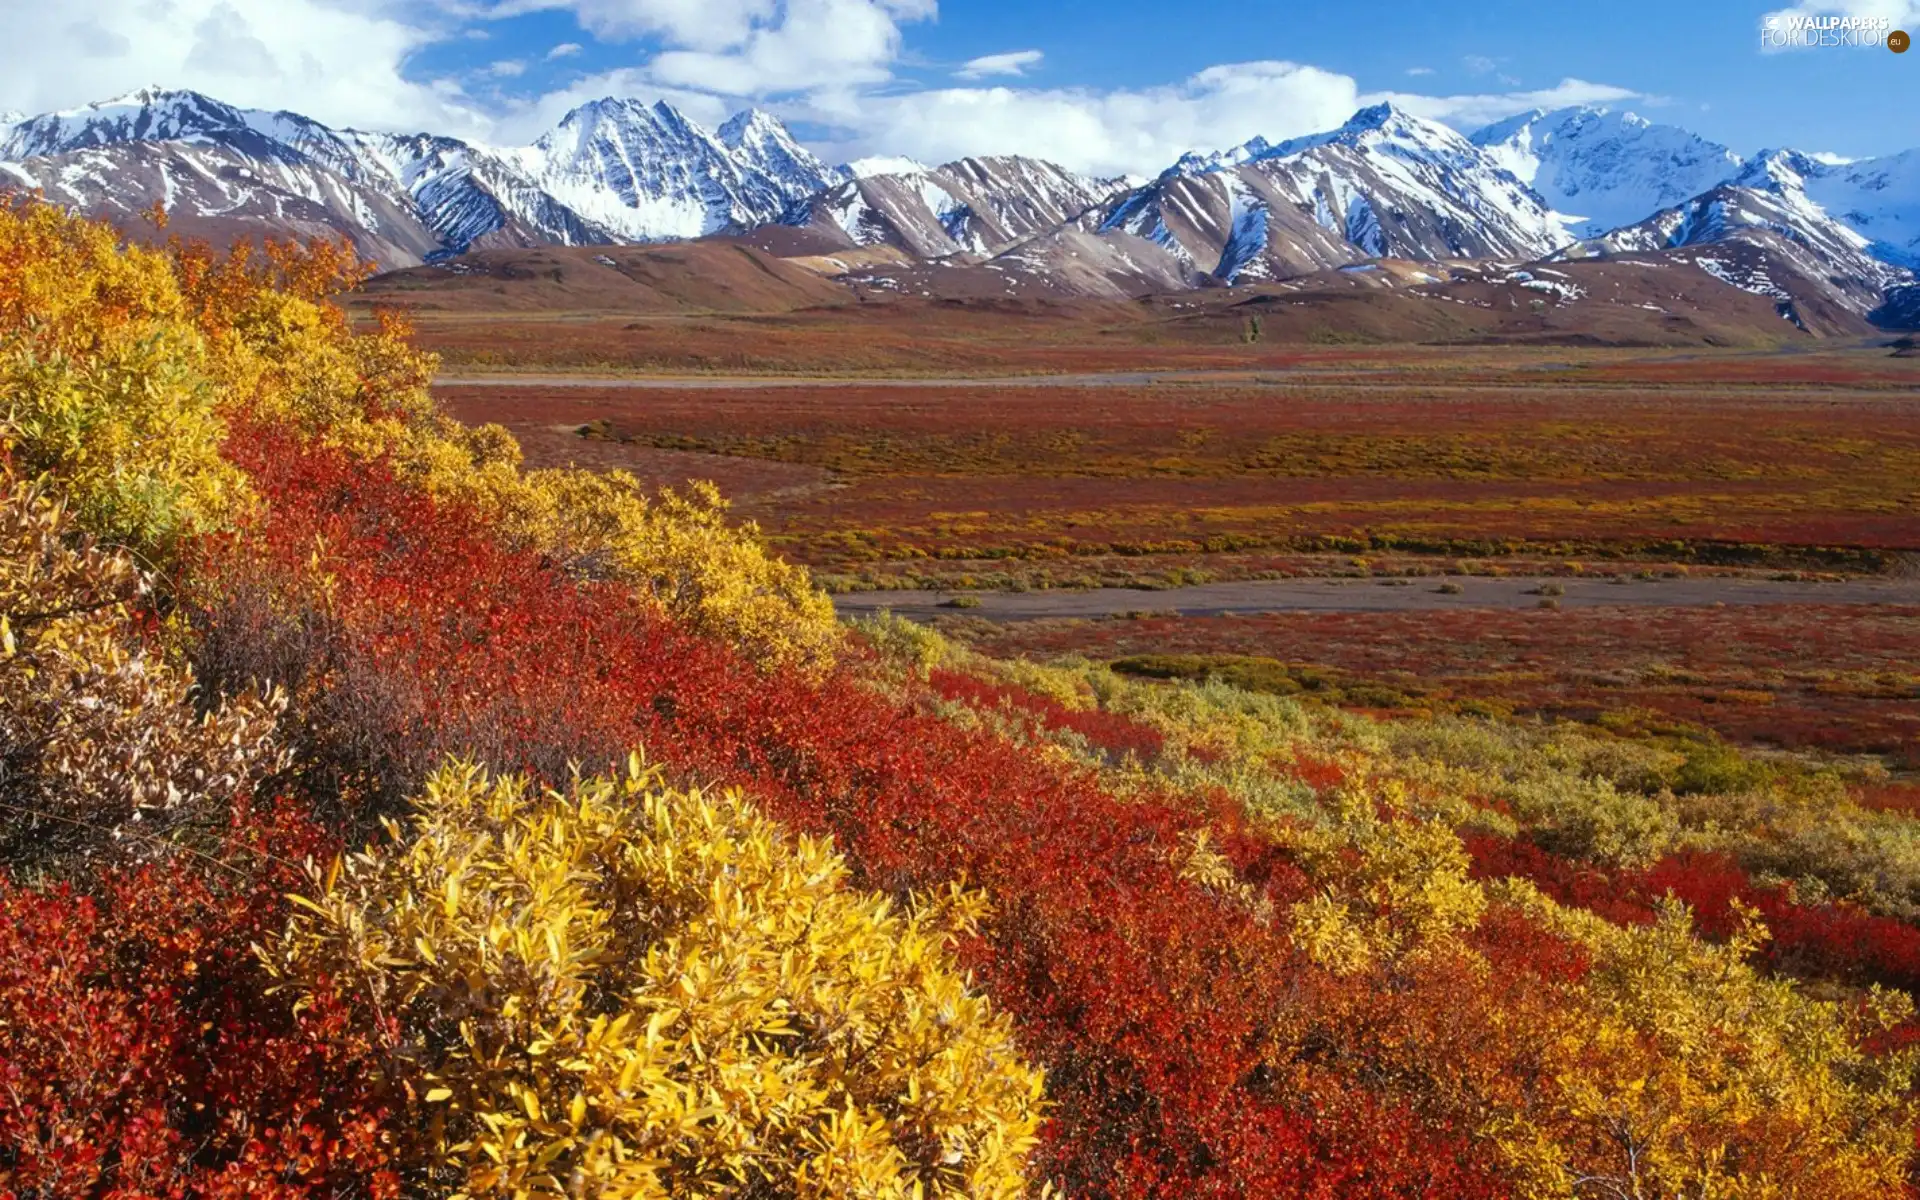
[124, 372]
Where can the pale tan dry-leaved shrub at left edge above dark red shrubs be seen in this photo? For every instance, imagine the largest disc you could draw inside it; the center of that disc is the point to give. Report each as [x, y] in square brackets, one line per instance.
[105, 740]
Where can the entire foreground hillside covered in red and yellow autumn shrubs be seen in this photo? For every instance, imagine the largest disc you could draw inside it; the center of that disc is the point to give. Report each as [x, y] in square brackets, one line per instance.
[387, 819]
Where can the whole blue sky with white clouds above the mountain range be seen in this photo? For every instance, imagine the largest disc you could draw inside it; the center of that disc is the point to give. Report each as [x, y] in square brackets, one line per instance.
[1111, 85]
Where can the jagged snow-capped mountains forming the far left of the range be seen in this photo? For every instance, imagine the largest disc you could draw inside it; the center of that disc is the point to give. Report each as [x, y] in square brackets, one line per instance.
[612, 172]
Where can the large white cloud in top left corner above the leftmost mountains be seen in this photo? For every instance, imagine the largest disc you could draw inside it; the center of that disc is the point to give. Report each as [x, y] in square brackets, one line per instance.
[337, 60]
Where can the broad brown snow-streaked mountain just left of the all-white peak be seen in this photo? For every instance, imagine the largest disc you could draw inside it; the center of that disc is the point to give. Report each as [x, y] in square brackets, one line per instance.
[1383, 185]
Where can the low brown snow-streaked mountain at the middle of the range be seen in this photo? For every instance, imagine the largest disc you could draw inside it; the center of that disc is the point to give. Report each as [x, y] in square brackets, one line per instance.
[972, 206]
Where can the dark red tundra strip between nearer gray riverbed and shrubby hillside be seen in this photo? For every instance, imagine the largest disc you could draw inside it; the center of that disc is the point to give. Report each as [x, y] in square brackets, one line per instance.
[1840, 677]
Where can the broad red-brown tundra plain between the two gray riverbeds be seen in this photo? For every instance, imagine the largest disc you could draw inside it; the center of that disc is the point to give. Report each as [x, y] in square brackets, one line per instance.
[1393, 462]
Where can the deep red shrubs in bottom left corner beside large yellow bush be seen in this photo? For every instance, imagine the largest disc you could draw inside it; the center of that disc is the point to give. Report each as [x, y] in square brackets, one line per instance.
[141, 1053]
